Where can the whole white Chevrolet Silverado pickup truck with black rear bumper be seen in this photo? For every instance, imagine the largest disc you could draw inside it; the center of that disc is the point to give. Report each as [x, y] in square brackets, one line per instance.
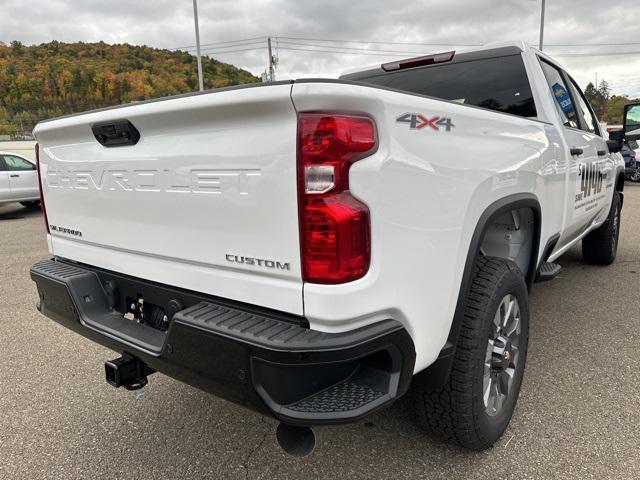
[312, 249]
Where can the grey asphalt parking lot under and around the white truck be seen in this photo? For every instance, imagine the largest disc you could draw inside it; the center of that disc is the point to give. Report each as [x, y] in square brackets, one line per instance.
[578, 415]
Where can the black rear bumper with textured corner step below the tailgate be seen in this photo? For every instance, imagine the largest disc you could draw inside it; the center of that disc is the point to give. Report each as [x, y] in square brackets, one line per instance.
[268, 361]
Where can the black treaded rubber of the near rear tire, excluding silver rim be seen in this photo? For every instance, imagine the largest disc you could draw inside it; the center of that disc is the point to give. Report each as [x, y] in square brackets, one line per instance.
[456, 413]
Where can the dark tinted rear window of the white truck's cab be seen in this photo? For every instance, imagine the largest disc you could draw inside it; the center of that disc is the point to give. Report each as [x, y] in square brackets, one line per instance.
[499, 83]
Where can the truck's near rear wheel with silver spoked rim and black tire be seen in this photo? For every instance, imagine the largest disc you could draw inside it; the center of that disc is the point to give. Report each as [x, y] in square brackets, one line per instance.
[475, 405]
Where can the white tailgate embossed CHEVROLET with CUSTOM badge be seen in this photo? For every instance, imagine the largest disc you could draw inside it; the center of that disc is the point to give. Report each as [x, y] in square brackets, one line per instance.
[206, 199]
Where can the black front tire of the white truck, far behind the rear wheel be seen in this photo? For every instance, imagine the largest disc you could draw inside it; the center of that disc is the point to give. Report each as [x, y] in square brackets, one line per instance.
[600, 246]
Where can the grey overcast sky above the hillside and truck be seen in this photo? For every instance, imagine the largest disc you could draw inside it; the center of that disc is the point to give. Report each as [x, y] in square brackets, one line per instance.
[570, 24]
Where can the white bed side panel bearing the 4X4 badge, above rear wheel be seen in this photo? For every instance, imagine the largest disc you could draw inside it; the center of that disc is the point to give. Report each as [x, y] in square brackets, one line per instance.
[426, 190]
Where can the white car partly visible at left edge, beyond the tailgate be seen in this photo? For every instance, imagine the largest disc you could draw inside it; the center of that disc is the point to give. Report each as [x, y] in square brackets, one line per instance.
[18, 180]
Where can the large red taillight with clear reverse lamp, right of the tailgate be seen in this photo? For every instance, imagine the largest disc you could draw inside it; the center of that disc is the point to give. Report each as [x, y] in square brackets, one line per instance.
[334, 225]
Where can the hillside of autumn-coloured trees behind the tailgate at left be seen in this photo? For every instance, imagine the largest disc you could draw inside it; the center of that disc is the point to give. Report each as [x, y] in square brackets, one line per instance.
[52, 79]
